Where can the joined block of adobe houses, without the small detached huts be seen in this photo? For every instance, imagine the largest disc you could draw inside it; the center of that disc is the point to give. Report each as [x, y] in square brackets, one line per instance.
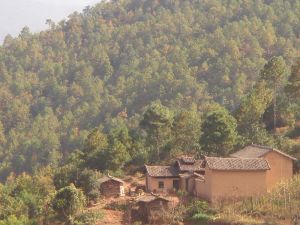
[251, 171]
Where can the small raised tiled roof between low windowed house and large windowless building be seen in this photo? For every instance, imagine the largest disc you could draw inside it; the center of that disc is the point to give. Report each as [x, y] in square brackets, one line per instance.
[189, 164]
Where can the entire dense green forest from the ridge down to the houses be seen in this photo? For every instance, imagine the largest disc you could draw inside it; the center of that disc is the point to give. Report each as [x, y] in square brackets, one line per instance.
[128, 82]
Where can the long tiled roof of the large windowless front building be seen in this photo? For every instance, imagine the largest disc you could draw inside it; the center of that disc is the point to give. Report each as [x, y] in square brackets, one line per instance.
[243, 164]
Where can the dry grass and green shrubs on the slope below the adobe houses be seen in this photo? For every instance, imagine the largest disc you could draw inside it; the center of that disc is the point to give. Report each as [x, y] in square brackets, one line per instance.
[281, 206]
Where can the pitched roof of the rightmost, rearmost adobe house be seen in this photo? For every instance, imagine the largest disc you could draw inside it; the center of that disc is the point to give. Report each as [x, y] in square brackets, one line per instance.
[257, 151]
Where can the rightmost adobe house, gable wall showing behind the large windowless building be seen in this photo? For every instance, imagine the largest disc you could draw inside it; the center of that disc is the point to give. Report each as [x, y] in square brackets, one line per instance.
[281, 163]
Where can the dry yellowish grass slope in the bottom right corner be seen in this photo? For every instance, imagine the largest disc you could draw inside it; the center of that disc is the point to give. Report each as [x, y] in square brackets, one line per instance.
[281, 206]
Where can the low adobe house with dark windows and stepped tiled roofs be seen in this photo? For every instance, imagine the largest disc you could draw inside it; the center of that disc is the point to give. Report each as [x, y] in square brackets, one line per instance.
[181, 175]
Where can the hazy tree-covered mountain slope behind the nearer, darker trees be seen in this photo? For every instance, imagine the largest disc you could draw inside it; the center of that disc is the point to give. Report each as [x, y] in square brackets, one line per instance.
[119, 56]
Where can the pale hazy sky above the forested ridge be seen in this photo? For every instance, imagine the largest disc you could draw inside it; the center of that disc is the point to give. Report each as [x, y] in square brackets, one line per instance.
[15, 14]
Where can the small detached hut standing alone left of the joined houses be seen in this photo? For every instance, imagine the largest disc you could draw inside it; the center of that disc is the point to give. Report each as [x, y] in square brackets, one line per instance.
[111, 186]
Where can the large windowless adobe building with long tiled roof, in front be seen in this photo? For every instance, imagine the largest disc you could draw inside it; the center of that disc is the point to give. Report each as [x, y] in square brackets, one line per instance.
[228, 178]
